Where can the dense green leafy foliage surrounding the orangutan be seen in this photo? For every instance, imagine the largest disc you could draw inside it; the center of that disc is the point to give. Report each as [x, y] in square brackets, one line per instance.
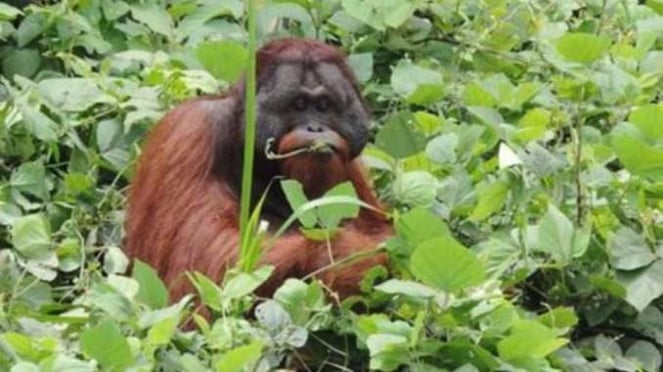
[519, 144]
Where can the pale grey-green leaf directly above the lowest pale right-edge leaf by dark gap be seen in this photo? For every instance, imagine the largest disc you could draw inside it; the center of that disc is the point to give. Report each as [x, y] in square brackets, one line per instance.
[629, 250]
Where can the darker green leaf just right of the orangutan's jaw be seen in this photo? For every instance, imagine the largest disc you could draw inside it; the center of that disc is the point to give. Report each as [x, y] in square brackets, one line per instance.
[397, 137]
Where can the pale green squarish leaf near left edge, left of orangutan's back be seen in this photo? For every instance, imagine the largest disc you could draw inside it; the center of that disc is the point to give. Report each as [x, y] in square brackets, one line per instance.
[31, 236]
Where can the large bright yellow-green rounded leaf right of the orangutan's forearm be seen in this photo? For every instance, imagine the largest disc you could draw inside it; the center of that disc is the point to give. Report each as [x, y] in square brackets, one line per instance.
[462, 269]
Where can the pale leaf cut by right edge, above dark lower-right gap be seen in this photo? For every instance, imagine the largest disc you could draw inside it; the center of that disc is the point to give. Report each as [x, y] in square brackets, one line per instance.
[643, 285]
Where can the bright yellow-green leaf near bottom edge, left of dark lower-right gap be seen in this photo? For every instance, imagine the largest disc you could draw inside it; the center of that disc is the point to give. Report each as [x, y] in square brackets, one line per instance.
[529, 340]
